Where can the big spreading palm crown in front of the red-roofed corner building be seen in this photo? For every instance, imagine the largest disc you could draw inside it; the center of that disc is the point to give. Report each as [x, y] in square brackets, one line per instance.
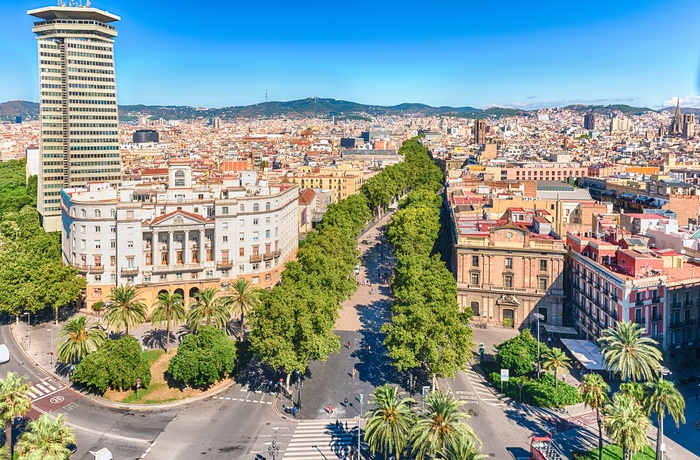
[627, 352]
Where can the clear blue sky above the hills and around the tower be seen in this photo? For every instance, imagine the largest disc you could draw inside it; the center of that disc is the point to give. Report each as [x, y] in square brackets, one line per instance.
[458, 53]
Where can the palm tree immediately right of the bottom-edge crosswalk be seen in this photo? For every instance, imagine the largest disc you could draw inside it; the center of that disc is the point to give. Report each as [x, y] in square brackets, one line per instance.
[389, 422]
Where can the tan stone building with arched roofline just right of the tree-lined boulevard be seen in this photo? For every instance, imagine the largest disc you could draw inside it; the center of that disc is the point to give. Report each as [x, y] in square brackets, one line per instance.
[507, 272]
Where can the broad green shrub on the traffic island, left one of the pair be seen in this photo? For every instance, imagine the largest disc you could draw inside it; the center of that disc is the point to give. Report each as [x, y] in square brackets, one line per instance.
[116, 365]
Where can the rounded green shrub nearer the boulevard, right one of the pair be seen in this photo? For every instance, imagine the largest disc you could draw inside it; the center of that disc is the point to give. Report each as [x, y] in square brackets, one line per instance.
[203, 358]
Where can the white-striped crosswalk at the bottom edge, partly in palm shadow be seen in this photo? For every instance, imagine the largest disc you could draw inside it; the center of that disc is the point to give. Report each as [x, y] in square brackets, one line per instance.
[322, 440]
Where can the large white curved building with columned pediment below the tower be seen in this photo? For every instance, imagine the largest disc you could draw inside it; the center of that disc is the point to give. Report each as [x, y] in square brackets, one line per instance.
[180, 238]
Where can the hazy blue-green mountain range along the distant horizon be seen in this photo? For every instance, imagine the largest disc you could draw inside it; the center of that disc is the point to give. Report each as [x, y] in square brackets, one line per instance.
[312, 107]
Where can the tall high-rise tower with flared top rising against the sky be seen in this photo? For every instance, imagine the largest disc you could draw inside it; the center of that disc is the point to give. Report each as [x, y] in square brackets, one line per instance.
[79, 120]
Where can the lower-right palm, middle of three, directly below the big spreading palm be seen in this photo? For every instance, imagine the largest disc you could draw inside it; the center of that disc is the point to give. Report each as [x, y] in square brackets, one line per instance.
[626, 424]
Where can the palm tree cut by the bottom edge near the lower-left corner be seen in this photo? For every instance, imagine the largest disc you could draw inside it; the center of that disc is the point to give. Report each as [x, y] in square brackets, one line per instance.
[46, 439]
